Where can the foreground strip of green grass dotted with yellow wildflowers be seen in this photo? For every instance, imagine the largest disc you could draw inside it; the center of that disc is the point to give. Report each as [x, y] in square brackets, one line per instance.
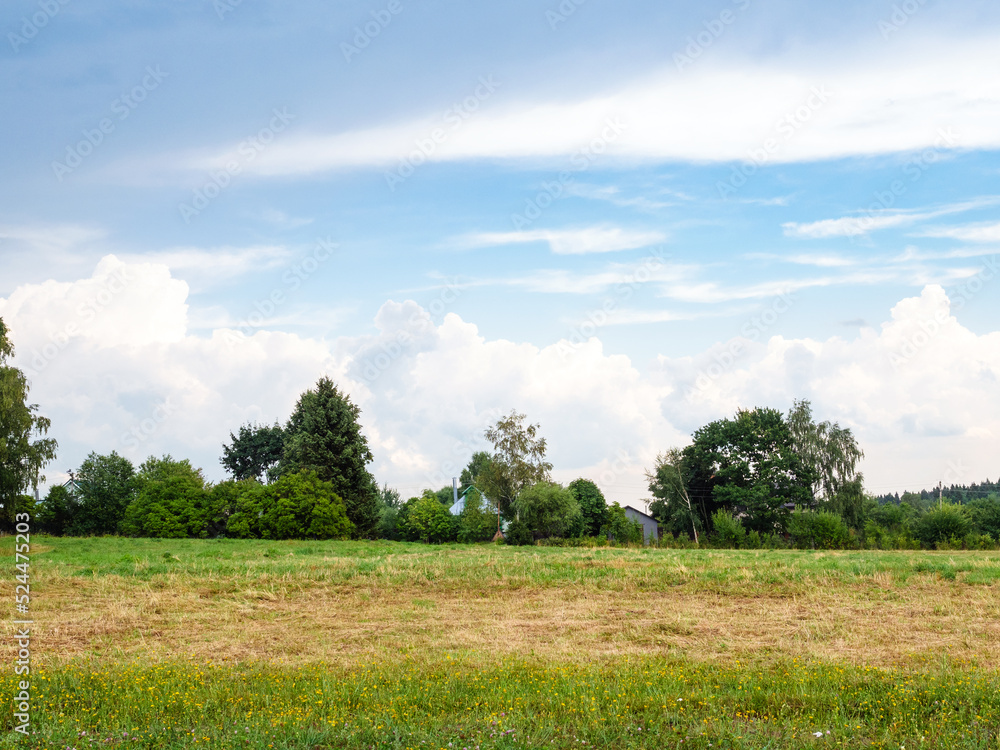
[414, 703]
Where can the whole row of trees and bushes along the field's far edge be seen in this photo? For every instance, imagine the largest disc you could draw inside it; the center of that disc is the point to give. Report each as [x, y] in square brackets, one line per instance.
[759, 479]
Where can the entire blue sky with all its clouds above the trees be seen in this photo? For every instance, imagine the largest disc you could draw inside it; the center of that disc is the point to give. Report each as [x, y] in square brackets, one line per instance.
[622, 219]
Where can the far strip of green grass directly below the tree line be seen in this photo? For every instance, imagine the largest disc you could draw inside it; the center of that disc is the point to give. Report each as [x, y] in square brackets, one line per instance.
[393, 563]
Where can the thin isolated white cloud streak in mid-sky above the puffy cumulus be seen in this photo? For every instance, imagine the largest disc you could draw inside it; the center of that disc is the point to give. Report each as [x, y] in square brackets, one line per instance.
[599, 239]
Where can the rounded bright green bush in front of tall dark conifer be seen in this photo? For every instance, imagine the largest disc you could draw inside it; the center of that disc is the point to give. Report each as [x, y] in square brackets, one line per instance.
[302, 506]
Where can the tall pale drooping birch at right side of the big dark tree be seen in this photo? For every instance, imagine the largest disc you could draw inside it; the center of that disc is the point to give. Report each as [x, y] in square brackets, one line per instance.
[831, 454]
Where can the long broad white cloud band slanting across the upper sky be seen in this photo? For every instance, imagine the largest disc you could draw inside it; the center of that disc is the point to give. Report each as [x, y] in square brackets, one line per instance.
[721, 110]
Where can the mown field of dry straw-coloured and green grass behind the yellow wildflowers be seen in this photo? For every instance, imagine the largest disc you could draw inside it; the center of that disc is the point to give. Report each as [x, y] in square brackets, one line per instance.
[355, 602]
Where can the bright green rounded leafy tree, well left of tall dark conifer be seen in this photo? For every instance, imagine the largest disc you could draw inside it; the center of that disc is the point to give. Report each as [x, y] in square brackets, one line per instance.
[172, 502]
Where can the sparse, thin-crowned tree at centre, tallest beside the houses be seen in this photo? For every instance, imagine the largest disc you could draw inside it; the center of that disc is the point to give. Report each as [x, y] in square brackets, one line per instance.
[518, 461]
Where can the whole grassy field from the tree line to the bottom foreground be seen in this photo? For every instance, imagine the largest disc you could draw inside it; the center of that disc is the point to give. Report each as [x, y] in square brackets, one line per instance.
[257, 644]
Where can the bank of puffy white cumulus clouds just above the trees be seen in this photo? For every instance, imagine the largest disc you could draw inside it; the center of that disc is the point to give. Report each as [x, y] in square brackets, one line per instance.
[920, 391]
